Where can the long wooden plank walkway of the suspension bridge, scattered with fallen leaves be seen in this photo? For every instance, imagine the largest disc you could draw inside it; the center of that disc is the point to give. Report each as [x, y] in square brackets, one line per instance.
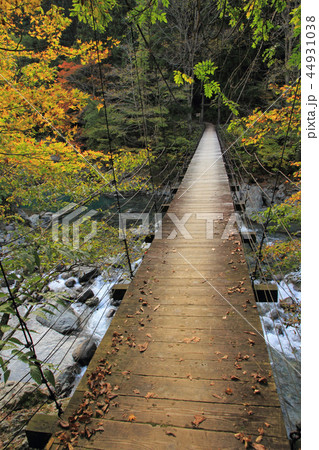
[183, 364]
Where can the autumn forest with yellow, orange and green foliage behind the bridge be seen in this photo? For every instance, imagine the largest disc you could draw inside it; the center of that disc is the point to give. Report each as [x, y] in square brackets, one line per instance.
[106, 98]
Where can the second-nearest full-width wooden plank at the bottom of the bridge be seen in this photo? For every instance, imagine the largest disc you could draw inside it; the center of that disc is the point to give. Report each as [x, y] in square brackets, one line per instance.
[219, 417]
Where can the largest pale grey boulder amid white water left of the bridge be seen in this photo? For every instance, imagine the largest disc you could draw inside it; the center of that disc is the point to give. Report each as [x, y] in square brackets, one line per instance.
[62, 318]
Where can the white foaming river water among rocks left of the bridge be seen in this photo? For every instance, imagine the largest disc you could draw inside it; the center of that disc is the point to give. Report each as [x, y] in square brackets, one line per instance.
[55, 348]
